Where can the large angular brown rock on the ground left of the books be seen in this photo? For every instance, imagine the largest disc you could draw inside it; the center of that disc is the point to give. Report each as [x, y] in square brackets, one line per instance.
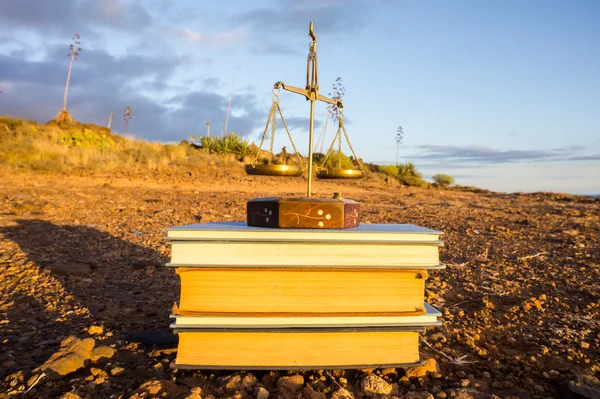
[70, 357]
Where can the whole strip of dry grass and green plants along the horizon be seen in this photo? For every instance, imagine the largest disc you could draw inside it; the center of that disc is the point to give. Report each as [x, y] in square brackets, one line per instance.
[64, 147]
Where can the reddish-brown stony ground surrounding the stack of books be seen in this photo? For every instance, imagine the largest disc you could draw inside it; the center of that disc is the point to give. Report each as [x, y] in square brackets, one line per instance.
[83, 256]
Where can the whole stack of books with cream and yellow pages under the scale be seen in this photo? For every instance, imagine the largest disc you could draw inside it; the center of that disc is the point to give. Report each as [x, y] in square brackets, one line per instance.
[260, 298]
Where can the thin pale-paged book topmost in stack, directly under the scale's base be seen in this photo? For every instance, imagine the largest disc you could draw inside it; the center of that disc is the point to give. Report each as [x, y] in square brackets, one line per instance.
[237, 231]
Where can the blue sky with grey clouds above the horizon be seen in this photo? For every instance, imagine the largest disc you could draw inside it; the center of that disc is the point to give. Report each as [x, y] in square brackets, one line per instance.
[503, 95]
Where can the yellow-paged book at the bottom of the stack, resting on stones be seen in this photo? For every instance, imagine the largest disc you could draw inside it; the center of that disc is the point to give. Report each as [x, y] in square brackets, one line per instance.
[297, 348]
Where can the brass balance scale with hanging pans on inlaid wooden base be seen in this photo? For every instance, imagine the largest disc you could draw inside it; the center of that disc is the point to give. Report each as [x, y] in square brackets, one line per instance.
[304, 212]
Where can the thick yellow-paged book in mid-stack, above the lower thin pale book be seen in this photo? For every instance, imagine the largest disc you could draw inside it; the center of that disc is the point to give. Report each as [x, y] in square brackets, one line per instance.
[222, 291]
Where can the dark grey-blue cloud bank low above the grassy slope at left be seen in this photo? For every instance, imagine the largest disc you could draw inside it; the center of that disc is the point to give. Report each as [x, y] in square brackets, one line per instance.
[102, 83]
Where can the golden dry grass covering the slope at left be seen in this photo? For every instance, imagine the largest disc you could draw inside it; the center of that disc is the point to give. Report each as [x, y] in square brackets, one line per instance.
[62, 147]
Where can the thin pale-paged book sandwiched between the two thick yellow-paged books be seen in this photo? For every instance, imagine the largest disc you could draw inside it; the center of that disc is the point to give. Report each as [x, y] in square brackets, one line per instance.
[430, 318]
